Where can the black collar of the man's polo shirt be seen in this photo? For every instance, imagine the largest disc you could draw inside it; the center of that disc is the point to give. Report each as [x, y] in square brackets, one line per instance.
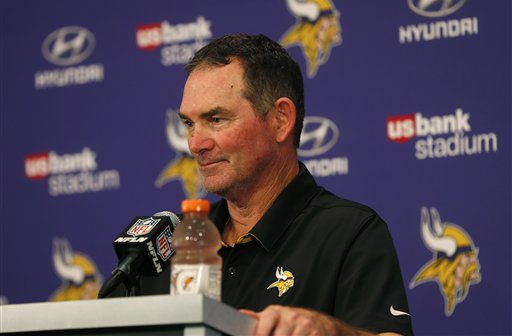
[294, 197]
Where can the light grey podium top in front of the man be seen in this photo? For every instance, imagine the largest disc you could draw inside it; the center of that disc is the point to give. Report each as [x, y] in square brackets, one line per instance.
[144, 315]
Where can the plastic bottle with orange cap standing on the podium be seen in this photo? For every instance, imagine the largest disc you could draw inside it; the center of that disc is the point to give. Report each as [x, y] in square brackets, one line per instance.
[196, 268]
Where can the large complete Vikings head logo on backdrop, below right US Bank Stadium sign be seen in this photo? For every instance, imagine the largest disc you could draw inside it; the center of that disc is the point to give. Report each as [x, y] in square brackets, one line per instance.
[454, 266]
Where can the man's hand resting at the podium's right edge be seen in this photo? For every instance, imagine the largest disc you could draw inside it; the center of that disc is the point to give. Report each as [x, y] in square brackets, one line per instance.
[280, 320]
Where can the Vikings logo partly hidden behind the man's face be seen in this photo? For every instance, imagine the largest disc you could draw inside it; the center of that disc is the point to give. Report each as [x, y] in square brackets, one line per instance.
[184, 167]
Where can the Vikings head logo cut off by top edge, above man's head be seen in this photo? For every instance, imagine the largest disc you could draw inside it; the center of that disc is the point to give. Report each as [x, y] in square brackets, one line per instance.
[316, 31]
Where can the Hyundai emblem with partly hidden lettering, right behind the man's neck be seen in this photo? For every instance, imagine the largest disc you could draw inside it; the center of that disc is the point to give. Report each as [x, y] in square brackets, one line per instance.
[319, 135]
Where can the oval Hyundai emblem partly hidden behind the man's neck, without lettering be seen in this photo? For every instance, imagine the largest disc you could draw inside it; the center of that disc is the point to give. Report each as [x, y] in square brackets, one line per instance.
[318, 135]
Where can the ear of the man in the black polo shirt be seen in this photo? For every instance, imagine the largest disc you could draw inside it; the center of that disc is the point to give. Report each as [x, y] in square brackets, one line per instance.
[283, 117]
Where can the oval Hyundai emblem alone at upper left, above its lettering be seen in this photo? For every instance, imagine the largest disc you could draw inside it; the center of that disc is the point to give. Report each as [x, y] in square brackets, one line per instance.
[68, 45]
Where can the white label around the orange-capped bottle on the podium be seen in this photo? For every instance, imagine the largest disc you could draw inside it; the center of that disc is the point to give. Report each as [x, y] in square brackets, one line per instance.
[196, 279]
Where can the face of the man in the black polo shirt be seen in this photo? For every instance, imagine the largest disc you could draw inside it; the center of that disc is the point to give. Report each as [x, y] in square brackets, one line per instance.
[230, 141]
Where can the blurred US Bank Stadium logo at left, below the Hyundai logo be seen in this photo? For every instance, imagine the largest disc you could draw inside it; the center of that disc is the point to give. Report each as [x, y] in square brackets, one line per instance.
[70, 174]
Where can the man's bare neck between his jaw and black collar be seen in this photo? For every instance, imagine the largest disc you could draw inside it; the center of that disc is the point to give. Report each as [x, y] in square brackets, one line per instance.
[245, 211]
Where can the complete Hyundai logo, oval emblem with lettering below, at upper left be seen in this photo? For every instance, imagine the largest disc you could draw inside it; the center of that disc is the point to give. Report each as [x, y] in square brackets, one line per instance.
[66, 47]
